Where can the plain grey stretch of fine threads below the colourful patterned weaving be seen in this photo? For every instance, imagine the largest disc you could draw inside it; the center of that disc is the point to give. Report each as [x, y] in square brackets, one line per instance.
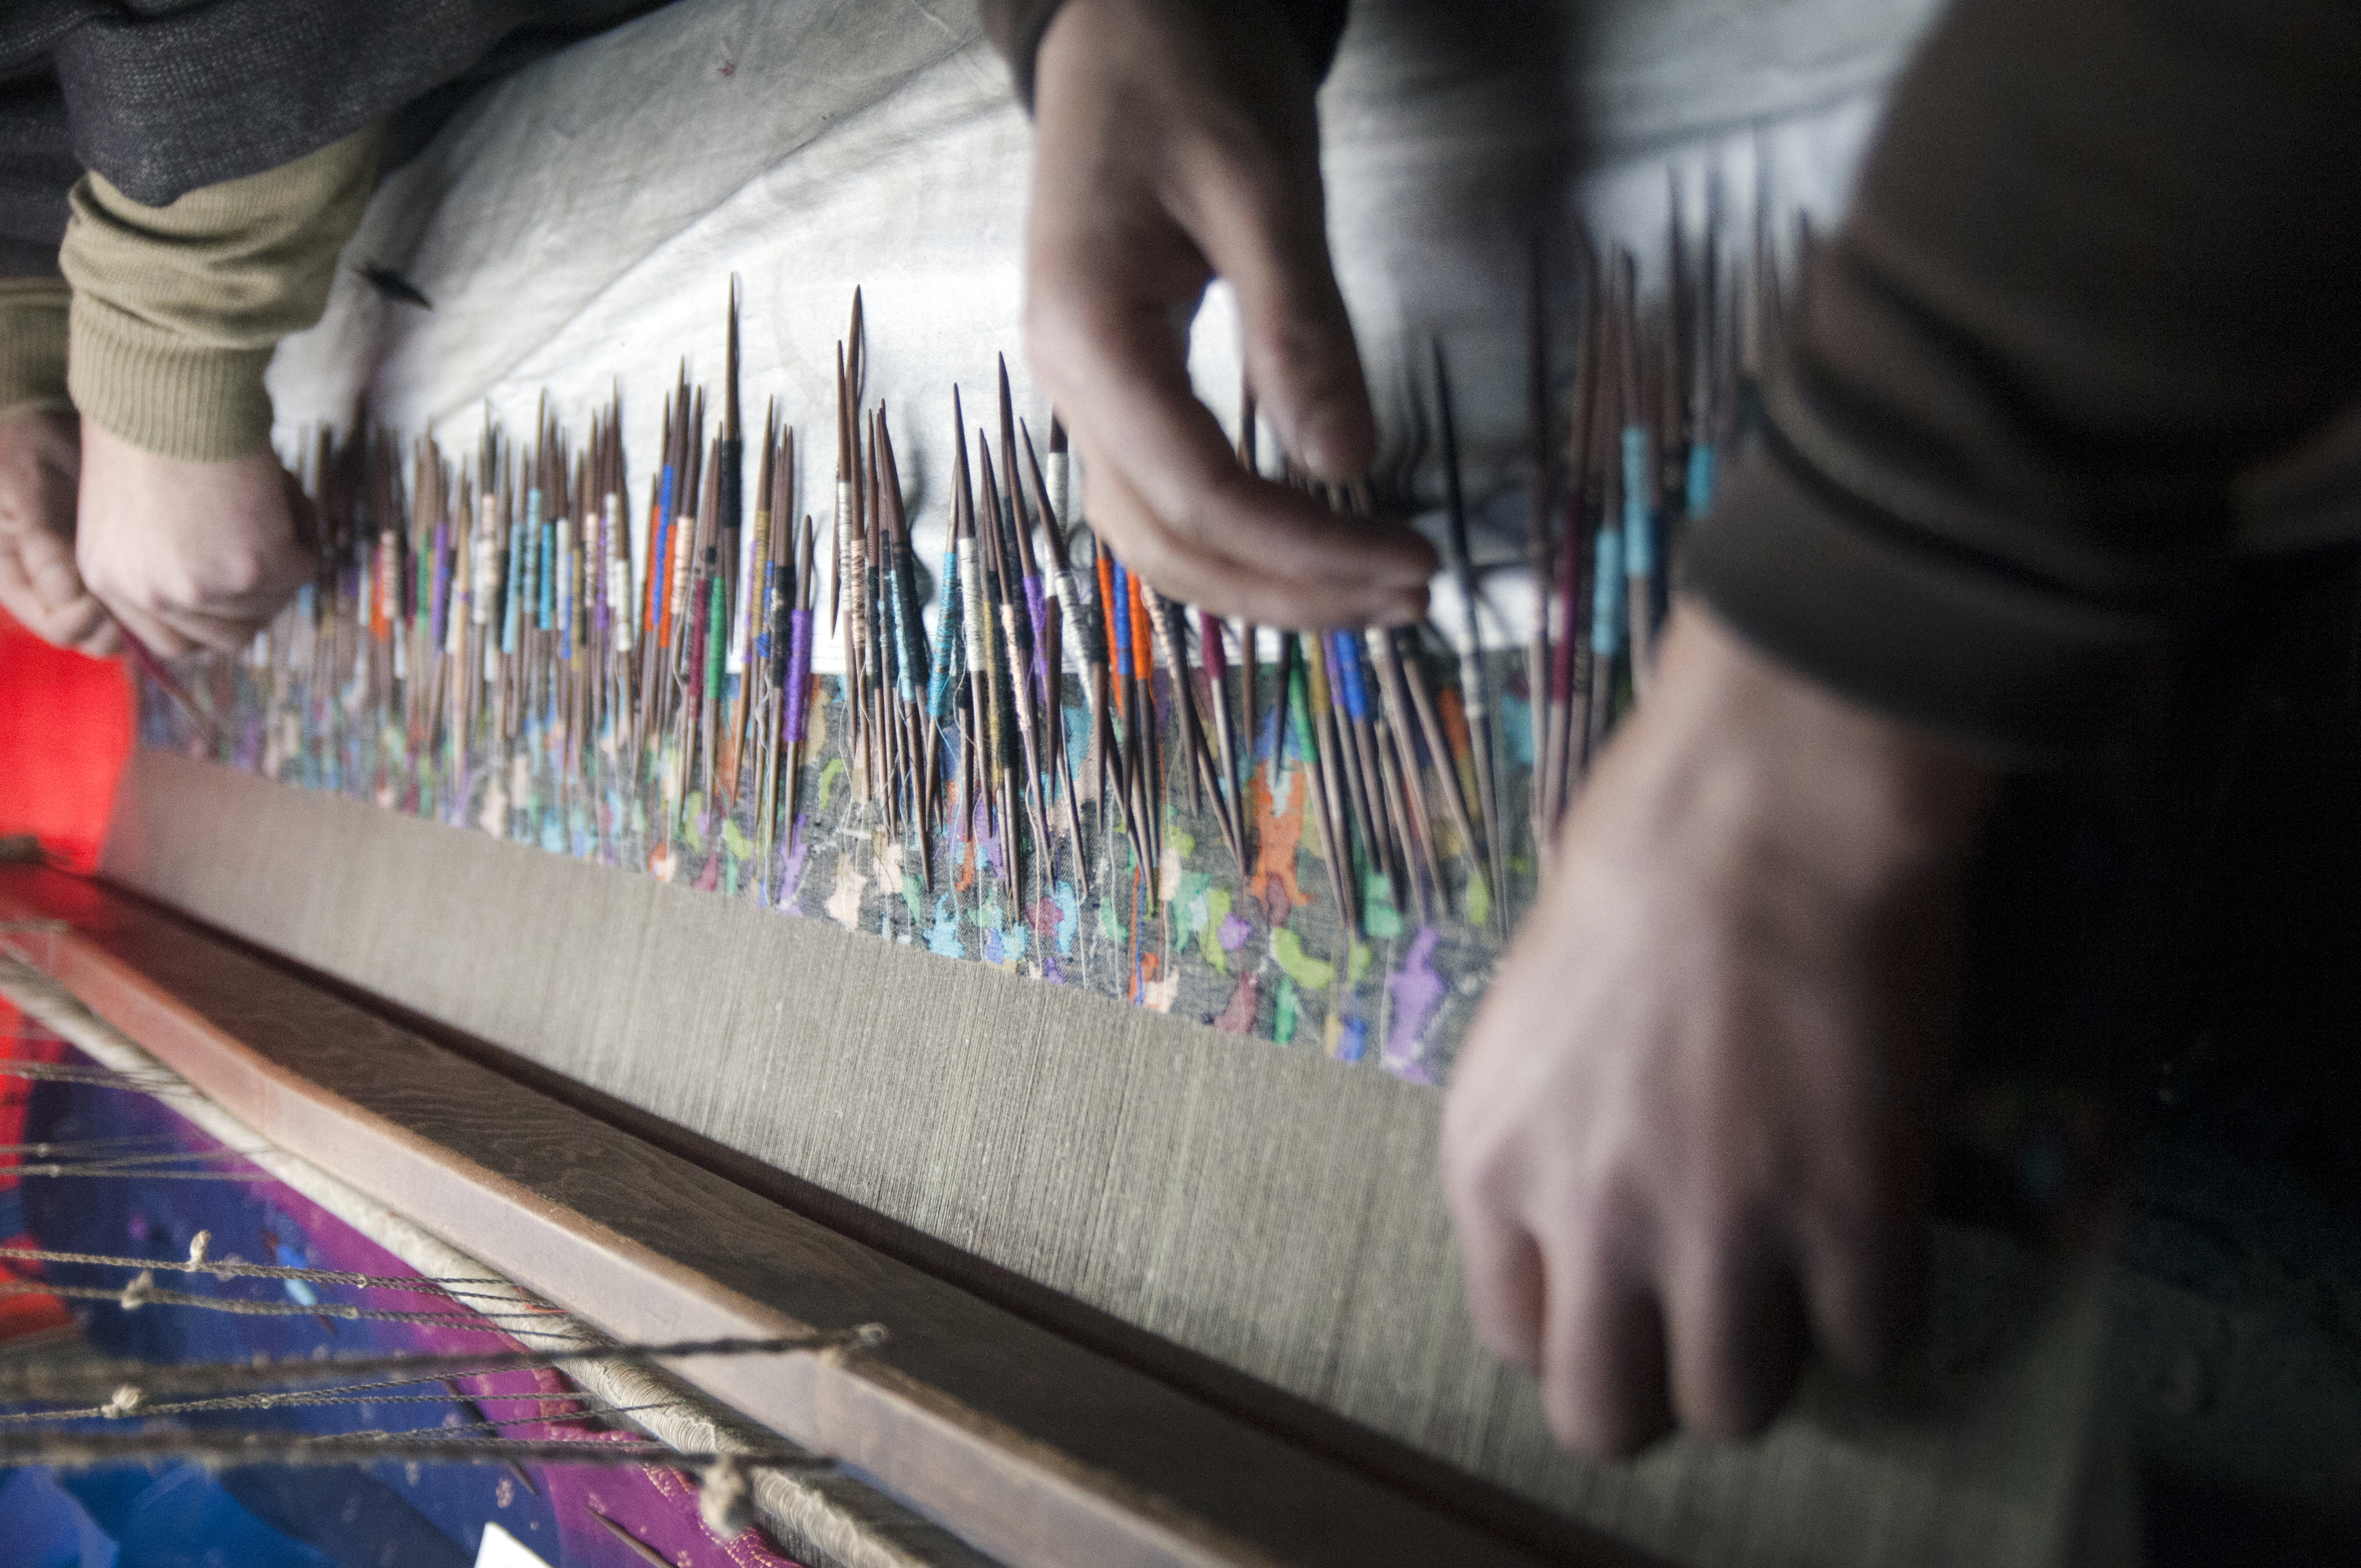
[1262, 1206]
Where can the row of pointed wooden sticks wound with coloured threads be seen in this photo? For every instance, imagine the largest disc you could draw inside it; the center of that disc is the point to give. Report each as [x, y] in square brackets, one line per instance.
[537, 651]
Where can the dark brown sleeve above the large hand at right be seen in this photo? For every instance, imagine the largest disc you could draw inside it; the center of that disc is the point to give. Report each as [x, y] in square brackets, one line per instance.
[2084, 344]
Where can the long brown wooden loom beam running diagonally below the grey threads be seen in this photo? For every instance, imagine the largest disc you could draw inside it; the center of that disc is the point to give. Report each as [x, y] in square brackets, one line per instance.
[1031, 1446]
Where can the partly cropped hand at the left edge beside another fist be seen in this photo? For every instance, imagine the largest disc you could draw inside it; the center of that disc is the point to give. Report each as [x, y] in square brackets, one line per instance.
[39, 582]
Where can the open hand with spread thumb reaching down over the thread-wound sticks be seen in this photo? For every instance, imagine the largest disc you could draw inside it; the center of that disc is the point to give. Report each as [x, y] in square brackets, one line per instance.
[1177, 143]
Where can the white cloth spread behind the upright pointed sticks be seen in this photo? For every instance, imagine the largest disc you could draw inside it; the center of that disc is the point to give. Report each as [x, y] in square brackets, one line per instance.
[577, 226]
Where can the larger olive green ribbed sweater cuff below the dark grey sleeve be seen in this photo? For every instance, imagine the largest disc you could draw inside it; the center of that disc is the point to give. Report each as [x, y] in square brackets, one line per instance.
[178, 308]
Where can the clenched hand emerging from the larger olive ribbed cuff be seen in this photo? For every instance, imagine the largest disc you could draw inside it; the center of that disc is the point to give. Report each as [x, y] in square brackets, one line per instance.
[190, 554]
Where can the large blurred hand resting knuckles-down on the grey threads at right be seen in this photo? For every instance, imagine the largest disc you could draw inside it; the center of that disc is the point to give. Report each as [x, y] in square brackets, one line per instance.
[1689, 1132]
